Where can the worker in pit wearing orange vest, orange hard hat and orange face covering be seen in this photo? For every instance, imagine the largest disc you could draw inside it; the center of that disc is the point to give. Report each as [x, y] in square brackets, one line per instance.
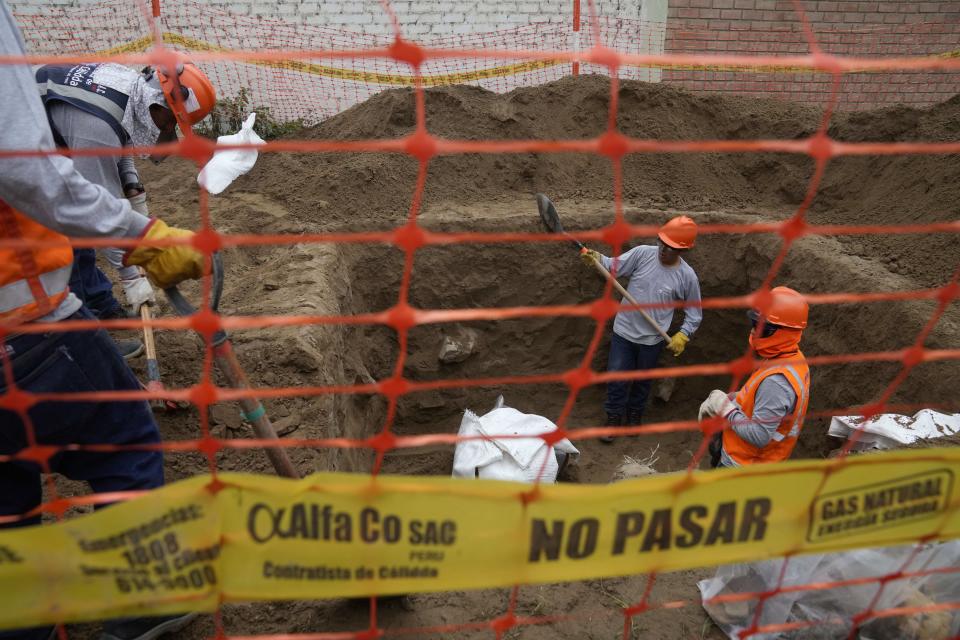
[764, 418]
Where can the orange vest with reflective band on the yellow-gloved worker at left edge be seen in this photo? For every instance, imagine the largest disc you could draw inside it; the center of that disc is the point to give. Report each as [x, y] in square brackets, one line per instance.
[33, 280]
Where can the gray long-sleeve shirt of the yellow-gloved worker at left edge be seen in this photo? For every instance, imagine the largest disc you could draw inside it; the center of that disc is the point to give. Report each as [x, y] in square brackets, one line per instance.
[48, 189]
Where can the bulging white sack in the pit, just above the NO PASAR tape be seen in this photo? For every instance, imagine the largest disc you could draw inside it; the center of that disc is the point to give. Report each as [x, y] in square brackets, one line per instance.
[518, 459]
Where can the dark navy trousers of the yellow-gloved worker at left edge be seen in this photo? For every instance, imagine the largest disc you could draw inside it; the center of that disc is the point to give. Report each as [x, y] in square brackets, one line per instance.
[74, 362]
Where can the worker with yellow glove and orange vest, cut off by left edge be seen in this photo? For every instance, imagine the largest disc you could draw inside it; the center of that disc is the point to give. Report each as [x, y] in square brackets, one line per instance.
[42, 200]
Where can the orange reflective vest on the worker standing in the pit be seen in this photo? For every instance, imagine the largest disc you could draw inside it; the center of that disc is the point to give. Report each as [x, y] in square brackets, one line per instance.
[797, 373]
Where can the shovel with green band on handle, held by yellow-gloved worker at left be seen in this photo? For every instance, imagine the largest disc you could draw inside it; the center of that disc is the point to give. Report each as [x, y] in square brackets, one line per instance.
[226, 361]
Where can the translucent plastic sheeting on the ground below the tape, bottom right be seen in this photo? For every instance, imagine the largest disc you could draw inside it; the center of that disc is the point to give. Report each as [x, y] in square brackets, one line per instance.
[840, 604]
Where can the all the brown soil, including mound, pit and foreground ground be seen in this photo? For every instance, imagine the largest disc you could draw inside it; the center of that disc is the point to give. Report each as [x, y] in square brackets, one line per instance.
[299, 193]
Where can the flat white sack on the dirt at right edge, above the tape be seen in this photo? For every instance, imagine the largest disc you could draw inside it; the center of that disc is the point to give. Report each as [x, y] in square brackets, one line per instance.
[890, 430]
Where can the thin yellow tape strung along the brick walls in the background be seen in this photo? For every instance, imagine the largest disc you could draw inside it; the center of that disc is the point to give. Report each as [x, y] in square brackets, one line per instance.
[407, 80]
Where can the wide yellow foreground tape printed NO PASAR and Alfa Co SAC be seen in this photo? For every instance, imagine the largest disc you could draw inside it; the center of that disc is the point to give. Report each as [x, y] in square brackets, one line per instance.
[186, 548]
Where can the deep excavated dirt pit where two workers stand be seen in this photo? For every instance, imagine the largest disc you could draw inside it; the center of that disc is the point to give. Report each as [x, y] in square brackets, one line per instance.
[542, 274]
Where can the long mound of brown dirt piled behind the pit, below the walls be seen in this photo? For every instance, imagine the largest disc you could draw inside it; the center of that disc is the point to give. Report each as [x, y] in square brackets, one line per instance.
[373, 190]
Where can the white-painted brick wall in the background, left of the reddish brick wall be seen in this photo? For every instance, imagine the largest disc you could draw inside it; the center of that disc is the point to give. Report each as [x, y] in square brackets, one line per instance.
[78, 27]
